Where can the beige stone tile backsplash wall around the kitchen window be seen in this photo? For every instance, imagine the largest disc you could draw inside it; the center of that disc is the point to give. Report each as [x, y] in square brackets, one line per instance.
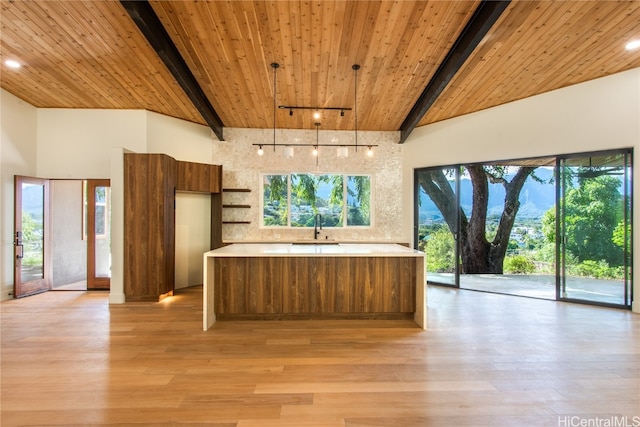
[243, 168]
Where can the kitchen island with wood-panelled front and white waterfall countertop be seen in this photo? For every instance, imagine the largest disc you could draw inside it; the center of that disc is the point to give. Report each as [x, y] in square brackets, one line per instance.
[314, 281]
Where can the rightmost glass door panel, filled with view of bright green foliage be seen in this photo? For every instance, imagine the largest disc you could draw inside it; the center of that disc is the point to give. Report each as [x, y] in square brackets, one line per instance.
[594, 229]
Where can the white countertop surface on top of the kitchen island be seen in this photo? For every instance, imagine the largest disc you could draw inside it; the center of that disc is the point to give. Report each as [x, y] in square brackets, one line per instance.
[313, 249]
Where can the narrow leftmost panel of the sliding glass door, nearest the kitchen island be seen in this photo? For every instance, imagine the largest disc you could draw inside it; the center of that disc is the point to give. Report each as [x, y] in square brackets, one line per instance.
[437, 222]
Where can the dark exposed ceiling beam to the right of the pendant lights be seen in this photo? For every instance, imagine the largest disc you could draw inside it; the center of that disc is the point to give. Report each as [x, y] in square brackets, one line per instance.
[480, 23]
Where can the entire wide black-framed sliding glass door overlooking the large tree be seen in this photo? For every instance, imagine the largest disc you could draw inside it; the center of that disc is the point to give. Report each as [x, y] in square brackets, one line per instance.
[557, 227]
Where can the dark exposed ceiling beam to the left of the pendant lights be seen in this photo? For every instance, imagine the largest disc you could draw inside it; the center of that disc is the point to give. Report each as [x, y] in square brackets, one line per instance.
[149, 24]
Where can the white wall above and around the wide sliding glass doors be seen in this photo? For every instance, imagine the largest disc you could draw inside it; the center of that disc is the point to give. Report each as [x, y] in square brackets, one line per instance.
[597, 115]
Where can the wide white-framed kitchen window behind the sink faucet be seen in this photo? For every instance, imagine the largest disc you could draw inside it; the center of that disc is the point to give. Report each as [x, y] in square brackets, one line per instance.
[293, 200]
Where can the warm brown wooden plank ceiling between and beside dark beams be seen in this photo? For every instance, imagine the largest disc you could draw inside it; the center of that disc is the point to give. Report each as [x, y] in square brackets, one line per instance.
[90, 54]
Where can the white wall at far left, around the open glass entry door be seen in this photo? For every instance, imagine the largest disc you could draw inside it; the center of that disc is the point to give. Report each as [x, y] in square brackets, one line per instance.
[18, 156]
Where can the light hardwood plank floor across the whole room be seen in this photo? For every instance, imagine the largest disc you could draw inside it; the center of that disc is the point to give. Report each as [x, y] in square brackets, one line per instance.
[69, 358]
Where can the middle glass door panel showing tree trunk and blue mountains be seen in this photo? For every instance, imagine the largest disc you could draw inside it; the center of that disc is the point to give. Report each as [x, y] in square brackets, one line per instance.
[509, 201]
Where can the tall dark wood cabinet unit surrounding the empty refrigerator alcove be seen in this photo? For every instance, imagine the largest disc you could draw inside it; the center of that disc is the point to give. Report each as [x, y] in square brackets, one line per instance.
[151, 182]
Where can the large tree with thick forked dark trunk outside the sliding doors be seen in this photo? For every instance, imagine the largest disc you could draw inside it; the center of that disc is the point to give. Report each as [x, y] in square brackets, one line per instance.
[478, 254]
